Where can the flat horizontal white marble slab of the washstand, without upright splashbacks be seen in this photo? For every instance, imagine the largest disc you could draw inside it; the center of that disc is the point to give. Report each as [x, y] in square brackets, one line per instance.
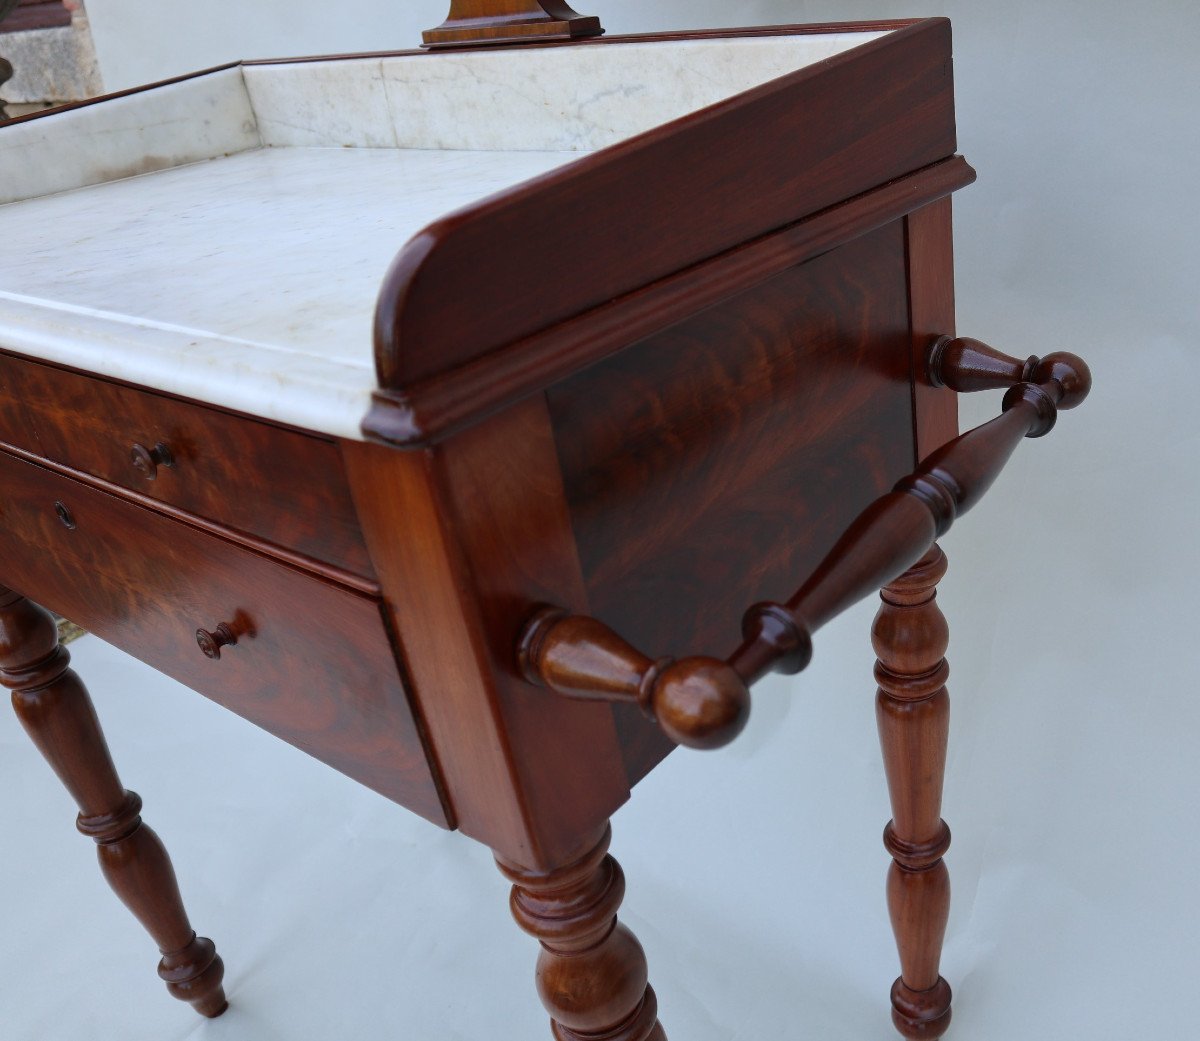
[248, 282]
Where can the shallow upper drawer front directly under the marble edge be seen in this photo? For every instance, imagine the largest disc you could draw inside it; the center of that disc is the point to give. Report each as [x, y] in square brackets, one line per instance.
[250, 476]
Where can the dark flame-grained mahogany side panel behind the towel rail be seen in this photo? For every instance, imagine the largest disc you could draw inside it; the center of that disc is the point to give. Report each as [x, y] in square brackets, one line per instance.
[715, 465]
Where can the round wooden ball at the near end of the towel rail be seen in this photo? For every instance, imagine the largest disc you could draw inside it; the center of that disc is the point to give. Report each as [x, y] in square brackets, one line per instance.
[701, 703]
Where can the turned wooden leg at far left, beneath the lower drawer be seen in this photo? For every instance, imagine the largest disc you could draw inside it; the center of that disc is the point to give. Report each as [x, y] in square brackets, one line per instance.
[56, 711]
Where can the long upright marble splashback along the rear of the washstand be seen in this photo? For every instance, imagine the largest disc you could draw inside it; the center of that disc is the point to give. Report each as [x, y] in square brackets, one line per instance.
[537, 99]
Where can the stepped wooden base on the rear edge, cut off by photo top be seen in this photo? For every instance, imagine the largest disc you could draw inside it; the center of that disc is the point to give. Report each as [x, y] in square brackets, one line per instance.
[473, 23]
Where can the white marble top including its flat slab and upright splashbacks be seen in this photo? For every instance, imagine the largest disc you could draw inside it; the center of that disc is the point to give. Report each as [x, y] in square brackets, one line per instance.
[225, 238]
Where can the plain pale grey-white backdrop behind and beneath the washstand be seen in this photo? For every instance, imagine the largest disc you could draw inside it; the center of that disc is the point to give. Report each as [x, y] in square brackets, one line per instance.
[757, 874]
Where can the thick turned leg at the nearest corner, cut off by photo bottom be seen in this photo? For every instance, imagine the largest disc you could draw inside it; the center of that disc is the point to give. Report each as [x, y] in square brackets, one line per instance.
[592, 974]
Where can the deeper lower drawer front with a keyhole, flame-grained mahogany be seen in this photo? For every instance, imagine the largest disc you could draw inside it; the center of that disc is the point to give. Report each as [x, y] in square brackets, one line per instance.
[313, 665]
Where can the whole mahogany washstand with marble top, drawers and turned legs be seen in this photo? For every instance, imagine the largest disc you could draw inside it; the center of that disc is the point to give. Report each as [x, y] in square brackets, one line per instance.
[662, 377]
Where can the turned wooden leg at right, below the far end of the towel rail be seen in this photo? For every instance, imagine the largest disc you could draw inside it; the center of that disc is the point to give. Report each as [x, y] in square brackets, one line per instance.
[910, 637]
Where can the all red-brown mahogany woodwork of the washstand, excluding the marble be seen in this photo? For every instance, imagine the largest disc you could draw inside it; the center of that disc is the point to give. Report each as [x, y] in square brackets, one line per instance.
[617, 406]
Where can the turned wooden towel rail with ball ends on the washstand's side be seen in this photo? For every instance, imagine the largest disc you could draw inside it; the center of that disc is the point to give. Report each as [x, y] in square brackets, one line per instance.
[704, 702]
